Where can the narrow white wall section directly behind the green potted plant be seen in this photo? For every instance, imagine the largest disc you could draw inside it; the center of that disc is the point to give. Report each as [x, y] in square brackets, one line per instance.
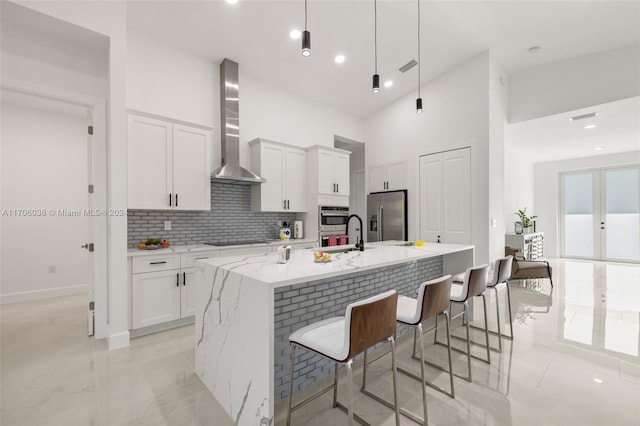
[518, 186]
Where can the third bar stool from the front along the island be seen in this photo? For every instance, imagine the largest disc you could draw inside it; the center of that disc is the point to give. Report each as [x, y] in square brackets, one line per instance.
[474, 284]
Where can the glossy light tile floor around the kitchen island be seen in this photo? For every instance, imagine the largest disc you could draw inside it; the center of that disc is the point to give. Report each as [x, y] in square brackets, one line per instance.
[575, 361]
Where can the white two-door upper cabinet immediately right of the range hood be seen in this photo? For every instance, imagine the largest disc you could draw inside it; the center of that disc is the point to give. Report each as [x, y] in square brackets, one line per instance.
[284, 168]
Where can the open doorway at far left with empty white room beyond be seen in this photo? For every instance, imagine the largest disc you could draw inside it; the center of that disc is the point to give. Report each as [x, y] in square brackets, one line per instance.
[49, 210]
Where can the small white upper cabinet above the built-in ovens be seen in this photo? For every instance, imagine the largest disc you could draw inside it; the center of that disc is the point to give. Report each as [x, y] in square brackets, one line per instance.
[332, 167]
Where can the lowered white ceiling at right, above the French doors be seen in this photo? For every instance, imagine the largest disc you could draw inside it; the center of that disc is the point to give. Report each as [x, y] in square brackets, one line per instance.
[556, 137]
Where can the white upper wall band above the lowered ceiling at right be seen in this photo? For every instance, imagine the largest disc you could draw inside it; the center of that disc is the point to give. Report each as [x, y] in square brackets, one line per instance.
[574, 83]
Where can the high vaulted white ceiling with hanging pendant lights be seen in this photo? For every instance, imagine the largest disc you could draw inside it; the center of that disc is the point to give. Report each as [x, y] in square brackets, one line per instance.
[256, 34]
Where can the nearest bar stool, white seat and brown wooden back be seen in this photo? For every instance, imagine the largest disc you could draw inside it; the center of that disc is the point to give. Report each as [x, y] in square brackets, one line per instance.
[340, 339]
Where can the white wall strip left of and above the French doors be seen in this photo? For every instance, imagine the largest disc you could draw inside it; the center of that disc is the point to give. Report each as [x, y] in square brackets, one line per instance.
[547, 187]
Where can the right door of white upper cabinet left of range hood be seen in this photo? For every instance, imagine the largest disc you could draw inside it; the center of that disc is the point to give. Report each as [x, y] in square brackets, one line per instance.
[191, 180]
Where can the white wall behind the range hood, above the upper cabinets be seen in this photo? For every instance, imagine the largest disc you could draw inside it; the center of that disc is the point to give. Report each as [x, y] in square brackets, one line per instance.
[165, 81]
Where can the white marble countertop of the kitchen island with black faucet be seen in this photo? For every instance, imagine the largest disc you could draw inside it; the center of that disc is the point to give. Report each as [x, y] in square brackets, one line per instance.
[301, 266]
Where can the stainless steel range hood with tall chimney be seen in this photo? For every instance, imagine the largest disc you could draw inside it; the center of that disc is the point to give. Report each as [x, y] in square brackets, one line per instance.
[230, 129]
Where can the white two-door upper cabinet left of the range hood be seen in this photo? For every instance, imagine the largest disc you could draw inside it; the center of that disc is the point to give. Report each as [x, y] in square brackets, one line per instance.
[168, 165]
